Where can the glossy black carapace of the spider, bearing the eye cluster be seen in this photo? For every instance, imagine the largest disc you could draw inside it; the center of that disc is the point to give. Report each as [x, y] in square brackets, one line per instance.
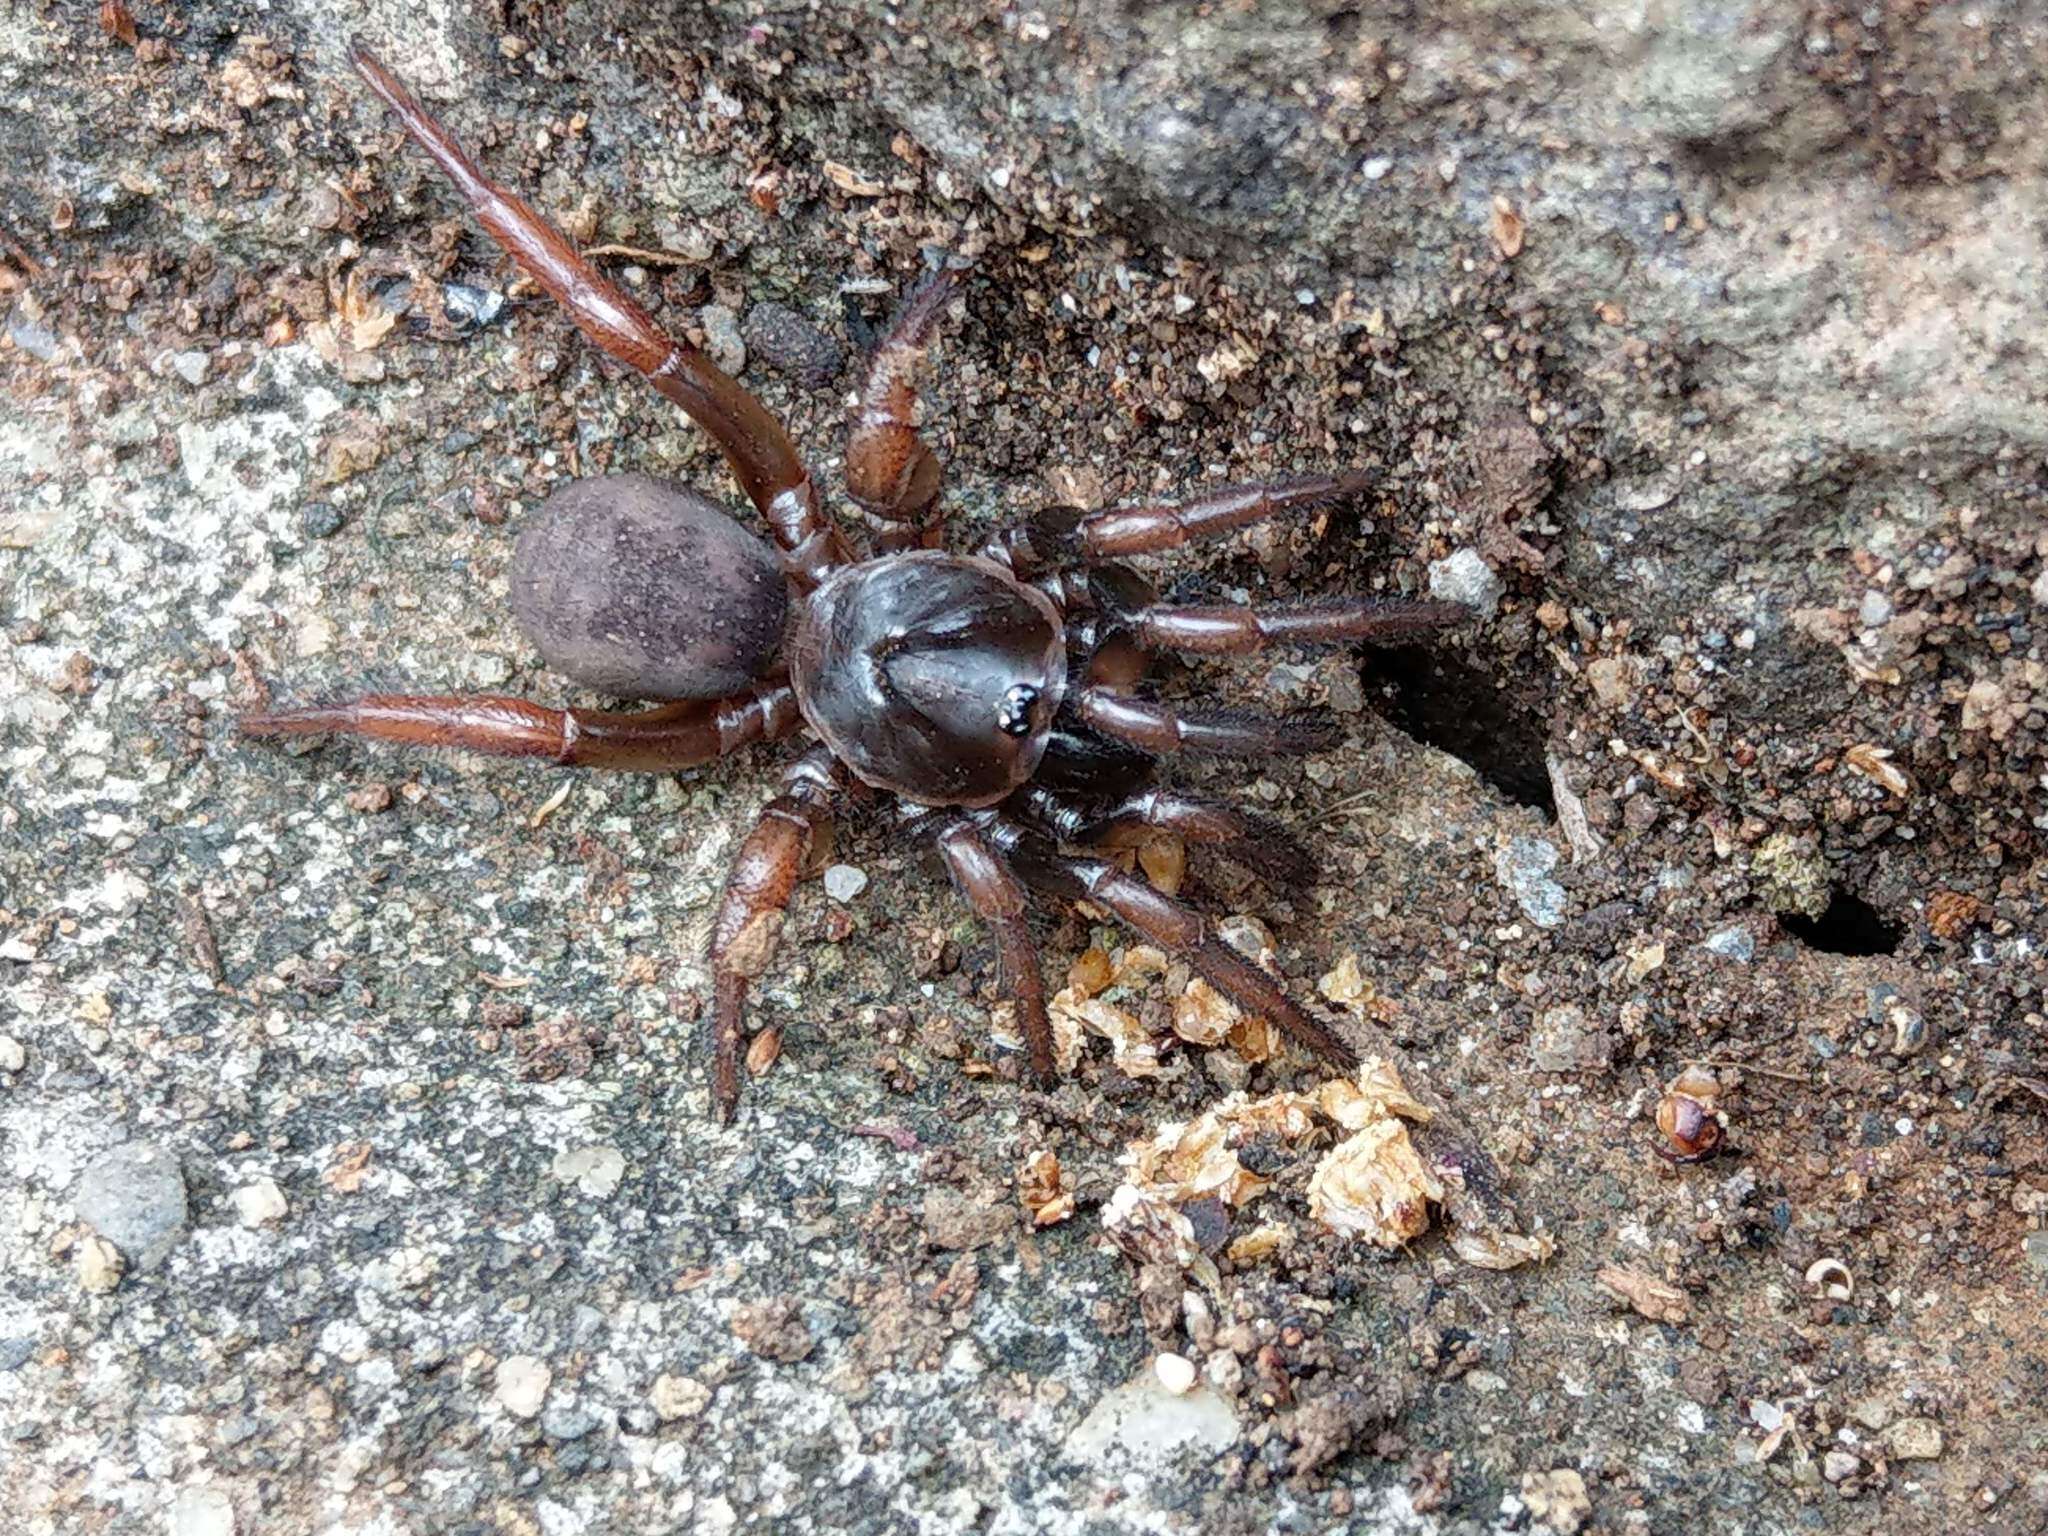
[929, 675]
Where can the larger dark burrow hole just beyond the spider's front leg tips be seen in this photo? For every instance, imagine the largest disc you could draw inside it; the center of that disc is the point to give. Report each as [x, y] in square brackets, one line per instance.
[1463, 712]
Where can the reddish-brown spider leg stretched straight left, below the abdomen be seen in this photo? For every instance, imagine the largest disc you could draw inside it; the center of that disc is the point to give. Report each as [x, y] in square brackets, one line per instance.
[646, 740]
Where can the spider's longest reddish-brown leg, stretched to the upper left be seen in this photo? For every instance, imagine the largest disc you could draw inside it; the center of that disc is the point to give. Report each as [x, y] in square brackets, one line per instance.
[755, 443]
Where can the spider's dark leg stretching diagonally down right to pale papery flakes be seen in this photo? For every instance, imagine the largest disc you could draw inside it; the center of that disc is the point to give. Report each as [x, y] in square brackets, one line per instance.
[1168, 925]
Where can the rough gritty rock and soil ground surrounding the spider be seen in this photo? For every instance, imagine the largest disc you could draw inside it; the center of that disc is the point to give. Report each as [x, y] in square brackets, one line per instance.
[353, 1113]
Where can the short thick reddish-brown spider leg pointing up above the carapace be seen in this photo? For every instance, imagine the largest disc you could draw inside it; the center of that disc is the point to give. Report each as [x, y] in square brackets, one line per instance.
[890, 472]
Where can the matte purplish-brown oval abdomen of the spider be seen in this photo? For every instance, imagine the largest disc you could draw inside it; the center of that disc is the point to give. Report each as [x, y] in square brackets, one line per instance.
[648, 591]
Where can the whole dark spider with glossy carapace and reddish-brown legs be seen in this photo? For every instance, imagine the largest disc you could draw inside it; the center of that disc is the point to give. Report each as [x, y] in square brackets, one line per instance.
[994, 697]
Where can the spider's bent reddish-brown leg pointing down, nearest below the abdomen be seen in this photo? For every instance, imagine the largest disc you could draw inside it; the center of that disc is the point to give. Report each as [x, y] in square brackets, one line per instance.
[757, 898]
